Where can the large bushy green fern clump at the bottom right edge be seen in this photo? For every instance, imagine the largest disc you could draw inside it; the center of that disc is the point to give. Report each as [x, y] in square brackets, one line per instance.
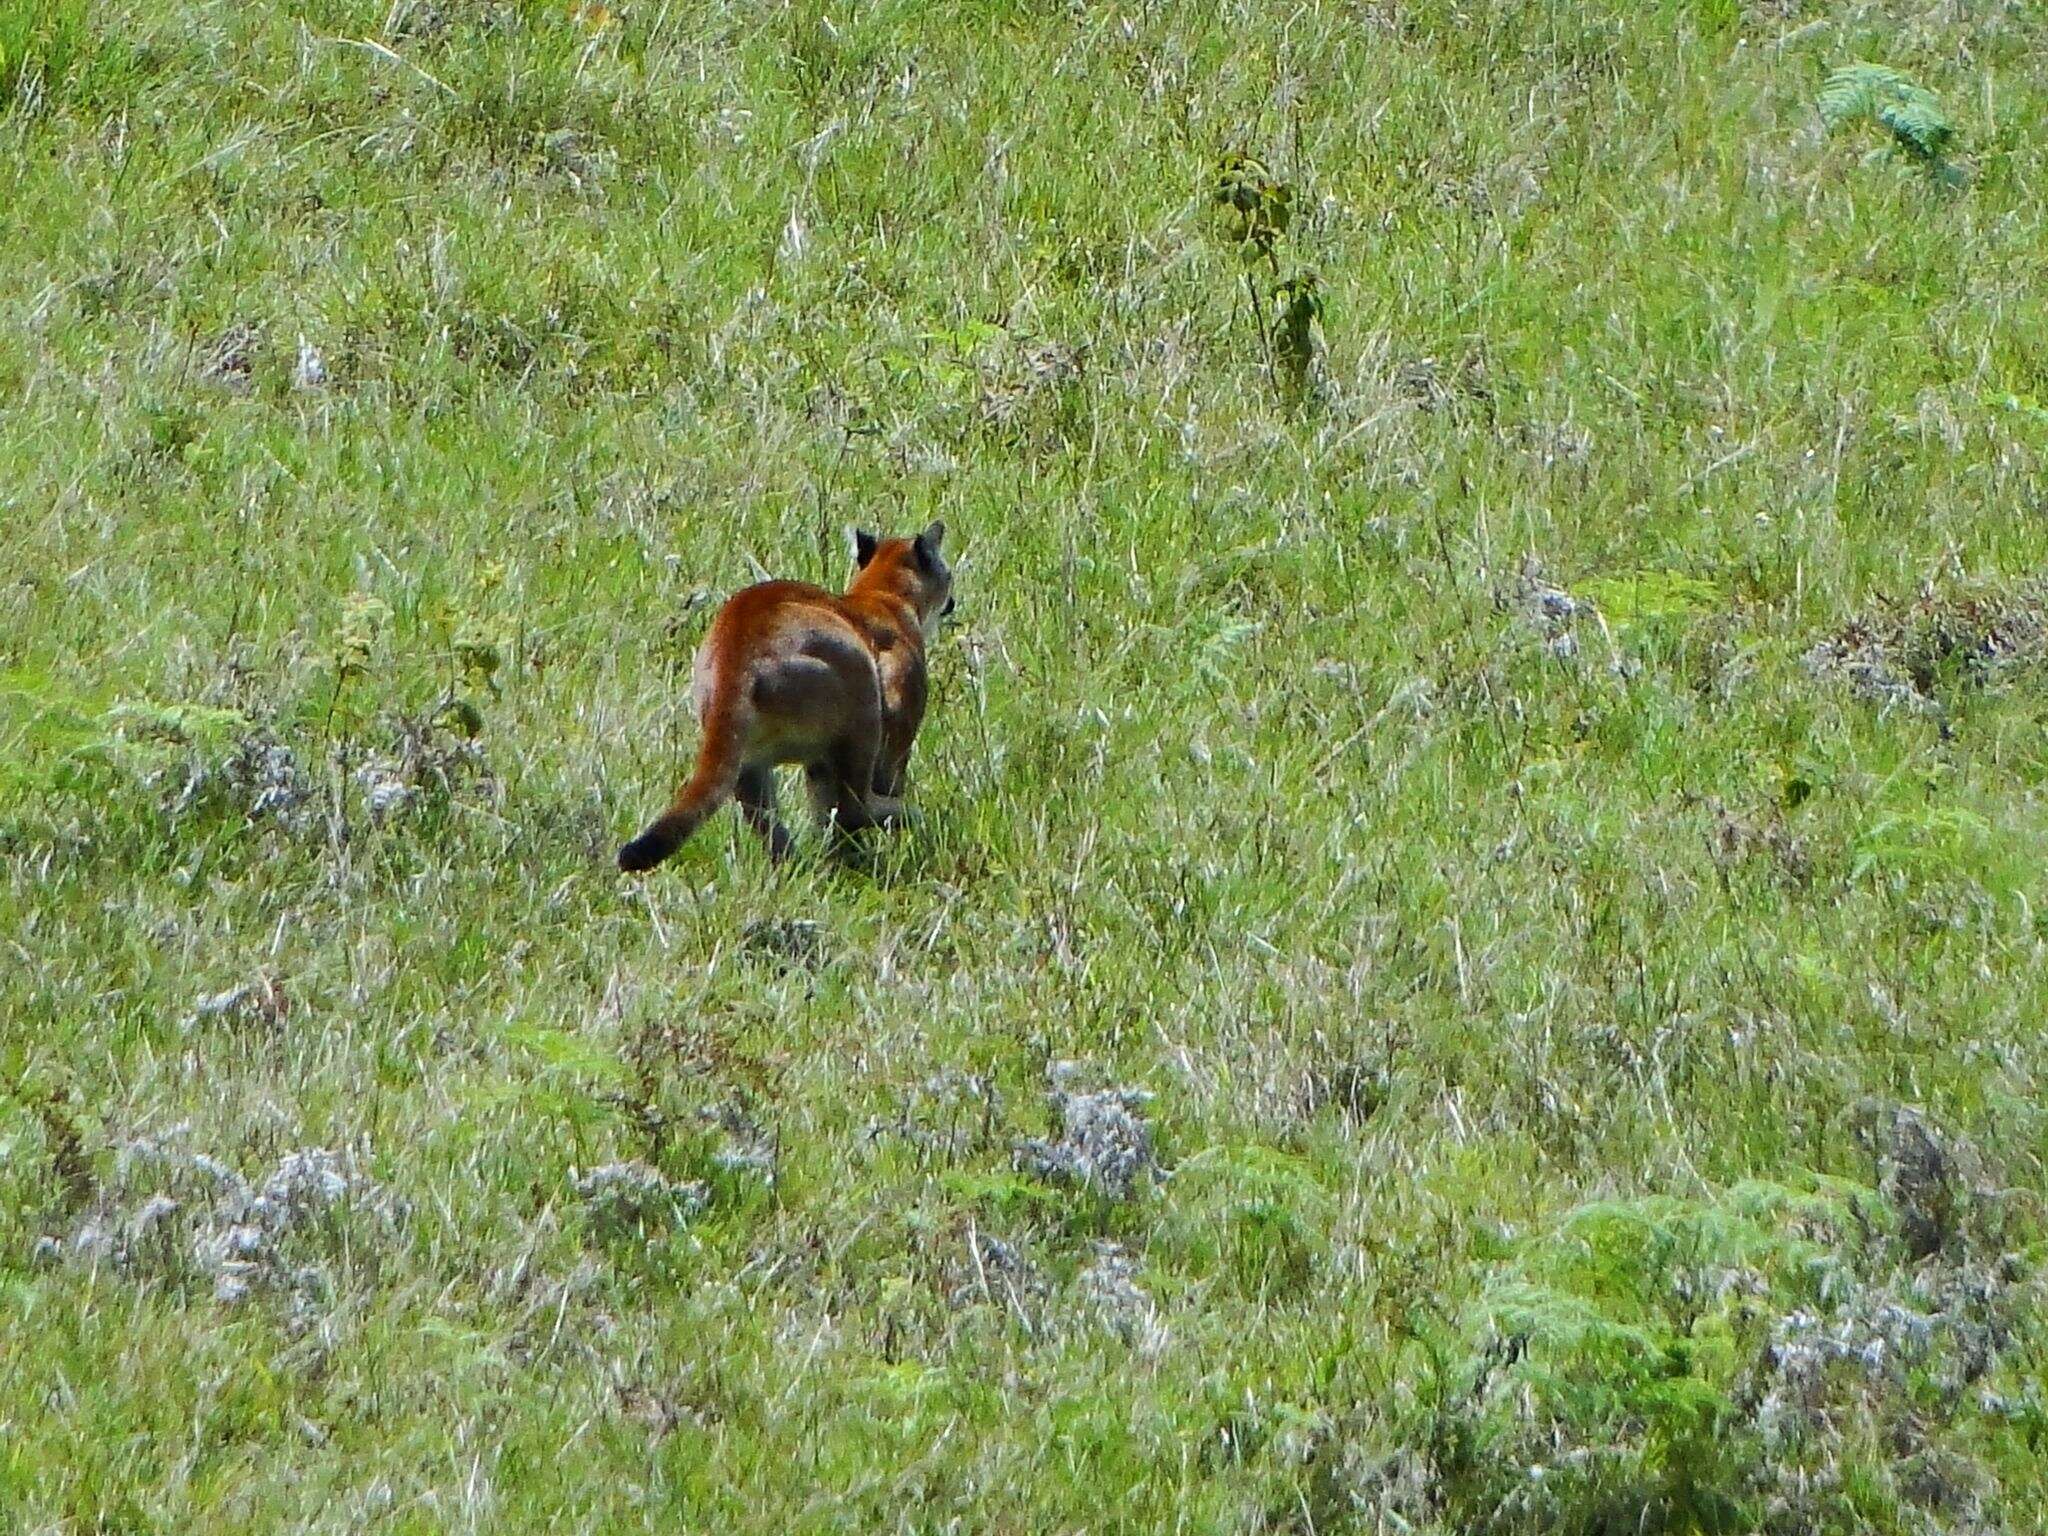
[1598, 1377]
